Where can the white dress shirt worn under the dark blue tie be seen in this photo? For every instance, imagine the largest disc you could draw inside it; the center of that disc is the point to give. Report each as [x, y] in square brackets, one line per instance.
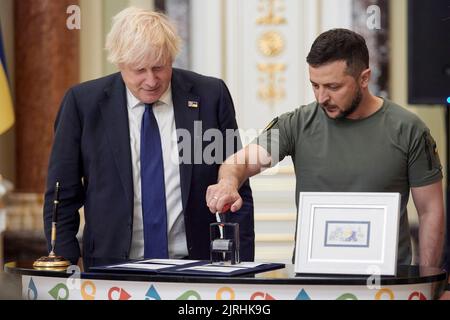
[164, 114]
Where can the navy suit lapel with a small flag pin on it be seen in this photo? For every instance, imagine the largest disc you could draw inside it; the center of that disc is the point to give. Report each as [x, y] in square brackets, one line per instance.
[186, 110]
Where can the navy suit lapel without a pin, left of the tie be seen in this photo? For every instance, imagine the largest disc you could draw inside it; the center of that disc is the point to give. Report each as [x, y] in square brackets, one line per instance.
[115, 116]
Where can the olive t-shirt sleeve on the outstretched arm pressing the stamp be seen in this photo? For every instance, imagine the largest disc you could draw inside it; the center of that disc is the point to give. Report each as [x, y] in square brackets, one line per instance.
[279, 137]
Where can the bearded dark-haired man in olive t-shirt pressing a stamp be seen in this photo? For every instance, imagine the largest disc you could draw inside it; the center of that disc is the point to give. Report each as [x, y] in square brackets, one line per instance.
[348, 141]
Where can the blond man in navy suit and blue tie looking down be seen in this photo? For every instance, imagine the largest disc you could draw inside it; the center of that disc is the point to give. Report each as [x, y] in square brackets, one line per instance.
[117, 152]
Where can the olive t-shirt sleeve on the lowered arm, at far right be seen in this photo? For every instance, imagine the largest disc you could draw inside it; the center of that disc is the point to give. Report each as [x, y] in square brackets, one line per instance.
[424, 166]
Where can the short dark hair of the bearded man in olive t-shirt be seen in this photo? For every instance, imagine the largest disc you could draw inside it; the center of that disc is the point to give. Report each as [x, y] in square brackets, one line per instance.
[340, 44]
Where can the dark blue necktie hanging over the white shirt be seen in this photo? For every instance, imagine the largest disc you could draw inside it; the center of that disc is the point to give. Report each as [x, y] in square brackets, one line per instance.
[153, 192]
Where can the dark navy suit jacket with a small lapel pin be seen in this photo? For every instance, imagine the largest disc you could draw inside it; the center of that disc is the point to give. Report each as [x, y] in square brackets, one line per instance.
[91, 158]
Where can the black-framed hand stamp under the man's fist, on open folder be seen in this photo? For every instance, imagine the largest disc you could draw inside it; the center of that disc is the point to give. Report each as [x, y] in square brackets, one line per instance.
[224, 247]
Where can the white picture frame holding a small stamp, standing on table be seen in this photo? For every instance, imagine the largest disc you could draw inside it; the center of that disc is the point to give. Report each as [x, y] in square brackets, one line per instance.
[347, 233]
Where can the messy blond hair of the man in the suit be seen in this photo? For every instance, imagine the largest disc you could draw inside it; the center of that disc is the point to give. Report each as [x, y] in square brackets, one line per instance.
[138, 35]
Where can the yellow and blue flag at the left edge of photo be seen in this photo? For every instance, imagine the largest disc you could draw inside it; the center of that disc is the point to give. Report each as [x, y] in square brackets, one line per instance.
[6, 105]
